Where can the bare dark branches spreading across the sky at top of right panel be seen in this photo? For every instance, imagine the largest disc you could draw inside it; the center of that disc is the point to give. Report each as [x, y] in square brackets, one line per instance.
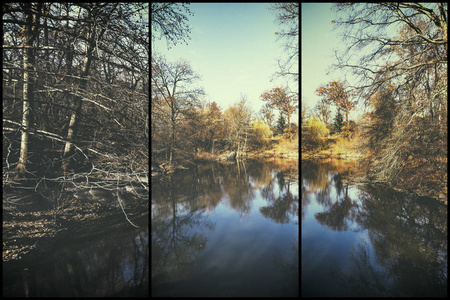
[366, 28]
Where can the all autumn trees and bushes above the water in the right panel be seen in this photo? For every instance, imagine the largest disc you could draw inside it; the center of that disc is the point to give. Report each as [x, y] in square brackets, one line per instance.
[400, 138]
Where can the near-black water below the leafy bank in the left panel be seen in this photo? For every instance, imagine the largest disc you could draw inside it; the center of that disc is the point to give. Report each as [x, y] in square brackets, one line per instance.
[97, 261]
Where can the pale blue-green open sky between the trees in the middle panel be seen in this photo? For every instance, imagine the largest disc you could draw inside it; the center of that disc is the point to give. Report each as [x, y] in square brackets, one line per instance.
[233, 48]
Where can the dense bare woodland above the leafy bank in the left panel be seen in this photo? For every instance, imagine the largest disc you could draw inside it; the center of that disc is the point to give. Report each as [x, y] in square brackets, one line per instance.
[75, 90]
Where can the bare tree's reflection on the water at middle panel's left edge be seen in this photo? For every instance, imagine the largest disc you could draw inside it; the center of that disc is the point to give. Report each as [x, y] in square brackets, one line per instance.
[175, 245]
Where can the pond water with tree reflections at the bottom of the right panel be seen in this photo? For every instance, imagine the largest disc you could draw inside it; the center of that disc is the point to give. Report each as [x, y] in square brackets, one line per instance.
[368, 240]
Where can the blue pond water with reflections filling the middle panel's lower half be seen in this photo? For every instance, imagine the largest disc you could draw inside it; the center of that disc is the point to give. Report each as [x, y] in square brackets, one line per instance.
[226, 230]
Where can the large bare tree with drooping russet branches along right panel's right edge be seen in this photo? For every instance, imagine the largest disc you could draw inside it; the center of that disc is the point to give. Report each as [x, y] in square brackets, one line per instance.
[398, 51]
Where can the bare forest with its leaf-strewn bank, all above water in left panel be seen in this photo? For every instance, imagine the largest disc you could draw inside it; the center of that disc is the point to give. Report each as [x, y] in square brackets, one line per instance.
[75, 113]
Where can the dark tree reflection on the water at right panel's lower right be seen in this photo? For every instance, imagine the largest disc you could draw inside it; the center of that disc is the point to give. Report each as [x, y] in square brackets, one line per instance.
[409, 237]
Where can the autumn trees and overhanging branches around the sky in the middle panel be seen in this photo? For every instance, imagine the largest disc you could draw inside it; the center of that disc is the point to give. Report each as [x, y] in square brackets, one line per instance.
[185, 129]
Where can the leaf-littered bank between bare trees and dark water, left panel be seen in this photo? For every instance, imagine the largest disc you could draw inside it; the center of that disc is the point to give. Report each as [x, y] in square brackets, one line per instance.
[32, 221]
